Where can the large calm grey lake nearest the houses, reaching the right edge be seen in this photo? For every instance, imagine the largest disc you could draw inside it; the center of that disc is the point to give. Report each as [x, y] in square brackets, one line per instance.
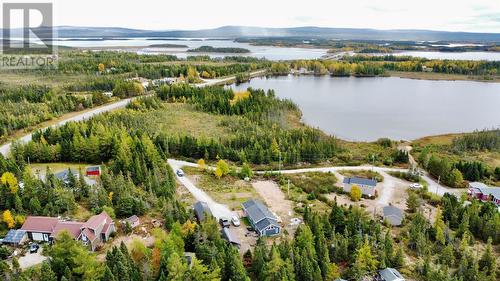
[365, 109]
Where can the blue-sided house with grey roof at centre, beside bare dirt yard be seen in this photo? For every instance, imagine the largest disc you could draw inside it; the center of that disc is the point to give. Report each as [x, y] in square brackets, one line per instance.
[261, 219]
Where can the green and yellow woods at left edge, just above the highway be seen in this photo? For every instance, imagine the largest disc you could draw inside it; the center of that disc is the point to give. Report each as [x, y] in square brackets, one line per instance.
[30, 105]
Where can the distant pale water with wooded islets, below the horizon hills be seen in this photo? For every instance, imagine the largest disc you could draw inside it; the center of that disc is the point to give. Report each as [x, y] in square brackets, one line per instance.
[268, 52]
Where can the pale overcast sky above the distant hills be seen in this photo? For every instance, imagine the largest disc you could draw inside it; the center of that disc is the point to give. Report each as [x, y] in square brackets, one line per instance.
[449, 15]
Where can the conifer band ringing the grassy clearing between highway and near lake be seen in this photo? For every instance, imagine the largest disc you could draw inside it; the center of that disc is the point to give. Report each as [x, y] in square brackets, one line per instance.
[257, 138]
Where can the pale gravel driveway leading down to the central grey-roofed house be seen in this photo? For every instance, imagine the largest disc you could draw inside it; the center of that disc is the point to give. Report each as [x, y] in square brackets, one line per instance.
[217, 209]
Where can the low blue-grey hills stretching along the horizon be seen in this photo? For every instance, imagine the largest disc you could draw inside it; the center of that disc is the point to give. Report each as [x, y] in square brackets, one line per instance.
[232, 32]
